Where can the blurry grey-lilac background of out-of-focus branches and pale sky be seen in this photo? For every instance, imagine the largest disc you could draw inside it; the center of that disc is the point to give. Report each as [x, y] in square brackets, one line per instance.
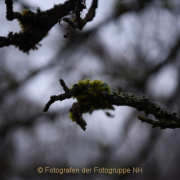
[131, 44]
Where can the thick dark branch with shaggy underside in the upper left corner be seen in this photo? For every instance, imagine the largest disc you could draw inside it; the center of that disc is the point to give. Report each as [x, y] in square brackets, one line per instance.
[35, 25]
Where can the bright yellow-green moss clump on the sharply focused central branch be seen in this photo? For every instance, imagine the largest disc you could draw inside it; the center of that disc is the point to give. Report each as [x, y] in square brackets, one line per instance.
[92, 95]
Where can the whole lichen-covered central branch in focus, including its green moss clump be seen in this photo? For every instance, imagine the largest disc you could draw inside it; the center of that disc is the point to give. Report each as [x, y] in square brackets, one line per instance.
[96, 94]
